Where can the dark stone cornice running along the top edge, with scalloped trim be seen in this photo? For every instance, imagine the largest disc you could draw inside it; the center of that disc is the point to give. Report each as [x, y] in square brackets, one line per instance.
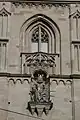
[43, 4]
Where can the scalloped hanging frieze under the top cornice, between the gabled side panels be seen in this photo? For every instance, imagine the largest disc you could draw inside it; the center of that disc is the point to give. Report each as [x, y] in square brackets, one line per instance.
[43, 4]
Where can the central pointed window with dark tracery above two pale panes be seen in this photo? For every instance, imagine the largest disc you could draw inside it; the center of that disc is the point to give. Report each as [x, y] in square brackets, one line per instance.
[39, 40]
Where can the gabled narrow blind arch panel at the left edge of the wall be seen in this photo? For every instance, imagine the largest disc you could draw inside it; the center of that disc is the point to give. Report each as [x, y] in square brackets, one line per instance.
[4, 29]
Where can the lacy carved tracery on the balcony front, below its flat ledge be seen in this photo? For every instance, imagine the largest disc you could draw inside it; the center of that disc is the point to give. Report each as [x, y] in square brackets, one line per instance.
[40, 60]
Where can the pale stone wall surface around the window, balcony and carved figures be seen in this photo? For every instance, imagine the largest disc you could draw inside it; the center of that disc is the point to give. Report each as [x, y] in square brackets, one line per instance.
[14, 90]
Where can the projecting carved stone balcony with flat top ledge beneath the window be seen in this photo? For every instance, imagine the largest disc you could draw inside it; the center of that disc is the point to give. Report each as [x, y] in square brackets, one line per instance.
[38, 60]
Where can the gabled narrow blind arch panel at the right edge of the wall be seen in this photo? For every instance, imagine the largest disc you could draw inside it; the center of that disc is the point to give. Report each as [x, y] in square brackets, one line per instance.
[75, 17]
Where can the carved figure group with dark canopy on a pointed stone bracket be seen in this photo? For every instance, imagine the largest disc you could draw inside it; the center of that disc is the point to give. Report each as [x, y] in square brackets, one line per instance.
[40, 93]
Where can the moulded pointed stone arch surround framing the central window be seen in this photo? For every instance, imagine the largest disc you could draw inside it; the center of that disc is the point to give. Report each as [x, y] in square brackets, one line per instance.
[48, 25]
